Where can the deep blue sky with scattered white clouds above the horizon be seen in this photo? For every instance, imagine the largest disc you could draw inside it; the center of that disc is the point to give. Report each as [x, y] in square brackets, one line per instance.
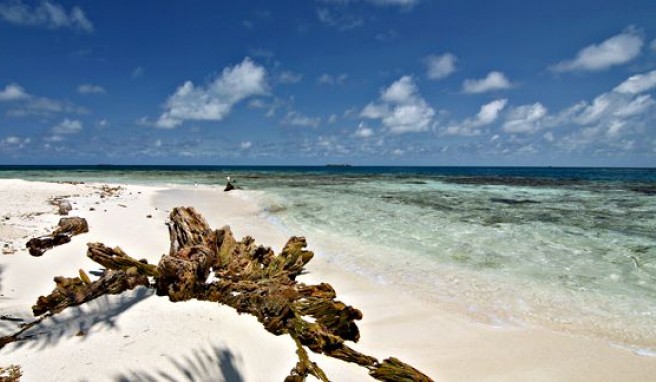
[370, 82]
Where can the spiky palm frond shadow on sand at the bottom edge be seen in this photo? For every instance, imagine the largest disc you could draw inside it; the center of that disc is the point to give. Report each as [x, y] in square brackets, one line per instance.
[214, 364]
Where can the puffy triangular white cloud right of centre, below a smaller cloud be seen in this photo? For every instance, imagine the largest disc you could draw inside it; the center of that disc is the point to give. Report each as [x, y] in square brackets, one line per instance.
[401, 108]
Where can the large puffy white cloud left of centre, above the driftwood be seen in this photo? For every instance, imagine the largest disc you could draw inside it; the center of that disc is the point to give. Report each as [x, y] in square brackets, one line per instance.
[214, 101]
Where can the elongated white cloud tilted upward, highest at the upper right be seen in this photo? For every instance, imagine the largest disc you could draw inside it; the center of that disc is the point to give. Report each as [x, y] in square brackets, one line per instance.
[616, 50]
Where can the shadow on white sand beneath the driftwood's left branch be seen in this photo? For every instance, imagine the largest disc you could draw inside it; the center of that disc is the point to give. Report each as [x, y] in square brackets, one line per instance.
[99, 314]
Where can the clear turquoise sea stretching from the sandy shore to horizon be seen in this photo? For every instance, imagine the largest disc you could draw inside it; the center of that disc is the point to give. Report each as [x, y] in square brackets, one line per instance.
[573, 249]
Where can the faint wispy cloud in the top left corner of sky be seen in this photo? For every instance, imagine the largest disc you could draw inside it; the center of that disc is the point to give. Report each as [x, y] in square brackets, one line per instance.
[47, 14]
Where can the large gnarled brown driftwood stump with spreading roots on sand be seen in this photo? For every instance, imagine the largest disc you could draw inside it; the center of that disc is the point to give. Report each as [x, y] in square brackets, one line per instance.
[249, 278]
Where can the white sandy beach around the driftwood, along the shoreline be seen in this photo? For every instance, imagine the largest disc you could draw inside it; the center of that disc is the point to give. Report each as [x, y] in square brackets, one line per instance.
[139, 336]
